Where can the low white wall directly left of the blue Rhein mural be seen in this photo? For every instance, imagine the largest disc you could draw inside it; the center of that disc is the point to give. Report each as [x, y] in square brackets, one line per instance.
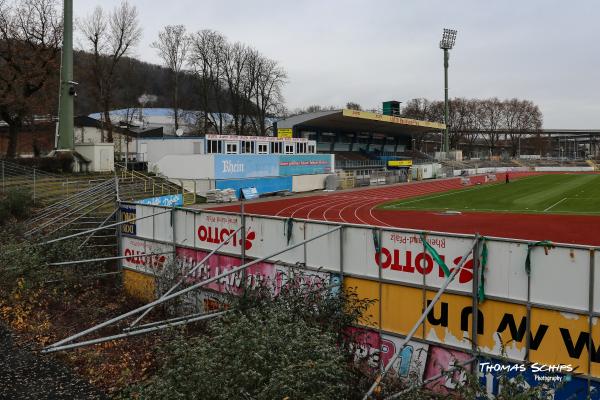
[187, 166]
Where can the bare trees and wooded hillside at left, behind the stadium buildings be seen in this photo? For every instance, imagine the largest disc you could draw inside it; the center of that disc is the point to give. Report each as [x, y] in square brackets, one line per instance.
[202, 71]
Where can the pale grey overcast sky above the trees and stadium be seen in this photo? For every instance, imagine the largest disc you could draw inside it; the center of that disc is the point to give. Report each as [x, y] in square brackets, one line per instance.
[370, 51]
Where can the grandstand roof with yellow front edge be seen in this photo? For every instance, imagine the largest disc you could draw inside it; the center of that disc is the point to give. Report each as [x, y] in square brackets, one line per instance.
[358, 121]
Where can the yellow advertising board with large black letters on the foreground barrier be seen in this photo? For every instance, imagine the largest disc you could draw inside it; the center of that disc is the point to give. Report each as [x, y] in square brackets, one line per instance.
[555, 337]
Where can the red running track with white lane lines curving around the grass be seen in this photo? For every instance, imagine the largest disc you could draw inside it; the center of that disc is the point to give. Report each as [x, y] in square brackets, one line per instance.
[359, 207]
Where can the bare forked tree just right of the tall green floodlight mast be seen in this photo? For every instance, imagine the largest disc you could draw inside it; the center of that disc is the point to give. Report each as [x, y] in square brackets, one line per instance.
[109, 37]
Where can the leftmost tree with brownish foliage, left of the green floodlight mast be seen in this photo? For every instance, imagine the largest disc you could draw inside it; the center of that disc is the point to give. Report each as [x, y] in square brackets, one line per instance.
[30, 37]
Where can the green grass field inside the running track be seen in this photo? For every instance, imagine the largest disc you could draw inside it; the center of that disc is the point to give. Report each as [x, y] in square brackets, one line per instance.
[552, 194]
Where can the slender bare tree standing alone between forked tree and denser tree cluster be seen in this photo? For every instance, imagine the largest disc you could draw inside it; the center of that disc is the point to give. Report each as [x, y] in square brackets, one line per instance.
[173, 45]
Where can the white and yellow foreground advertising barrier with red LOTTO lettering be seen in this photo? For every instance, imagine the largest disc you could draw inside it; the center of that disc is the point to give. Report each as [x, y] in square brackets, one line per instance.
[548, 315]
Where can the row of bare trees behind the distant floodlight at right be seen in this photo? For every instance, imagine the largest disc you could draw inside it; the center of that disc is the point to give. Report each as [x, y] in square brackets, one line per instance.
[474, 120]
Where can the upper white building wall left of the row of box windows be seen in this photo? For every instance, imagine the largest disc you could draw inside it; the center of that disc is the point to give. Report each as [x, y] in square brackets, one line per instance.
[156, 149]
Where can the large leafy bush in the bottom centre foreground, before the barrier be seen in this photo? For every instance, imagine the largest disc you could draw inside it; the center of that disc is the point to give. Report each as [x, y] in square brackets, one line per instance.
[289, 346]
